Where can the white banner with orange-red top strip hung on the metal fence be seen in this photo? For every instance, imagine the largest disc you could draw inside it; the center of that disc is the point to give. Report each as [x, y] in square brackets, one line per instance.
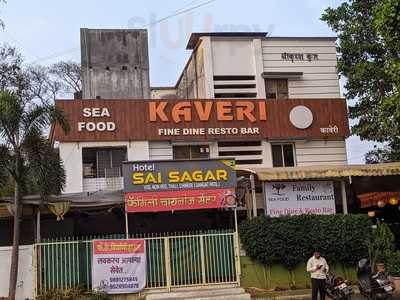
[119, 266]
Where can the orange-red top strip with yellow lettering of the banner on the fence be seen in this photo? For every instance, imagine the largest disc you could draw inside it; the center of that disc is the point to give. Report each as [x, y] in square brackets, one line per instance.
[118, 246]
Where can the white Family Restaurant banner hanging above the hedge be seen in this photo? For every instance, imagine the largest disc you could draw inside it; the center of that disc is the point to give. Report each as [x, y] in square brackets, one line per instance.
[296, 198]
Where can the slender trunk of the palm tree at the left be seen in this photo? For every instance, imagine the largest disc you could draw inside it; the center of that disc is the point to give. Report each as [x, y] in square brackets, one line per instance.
[15, 247]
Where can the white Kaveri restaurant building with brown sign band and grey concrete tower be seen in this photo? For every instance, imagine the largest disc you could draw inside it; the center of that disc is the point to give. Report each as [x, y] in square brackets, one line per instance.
[264, 101]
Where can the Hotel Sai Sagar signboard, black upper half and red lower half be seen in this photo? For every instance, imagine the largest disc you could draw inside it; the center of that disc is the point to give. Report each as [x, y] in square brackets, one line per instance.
[179, 185]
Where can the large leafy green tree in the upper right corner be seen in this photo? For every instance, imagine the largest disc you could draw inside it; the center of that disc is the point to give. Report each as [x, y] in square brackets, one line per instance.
[369, 41]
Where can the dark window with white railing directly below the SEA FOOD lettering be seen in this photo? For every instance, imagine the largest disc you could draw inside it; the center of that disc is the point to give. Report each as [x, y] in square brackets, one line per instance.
[103, 162]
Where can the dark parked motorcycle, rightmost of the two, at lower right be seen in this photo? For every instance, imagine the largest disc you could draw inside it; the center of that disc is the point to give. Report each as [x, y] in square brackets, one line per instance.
[373, 285]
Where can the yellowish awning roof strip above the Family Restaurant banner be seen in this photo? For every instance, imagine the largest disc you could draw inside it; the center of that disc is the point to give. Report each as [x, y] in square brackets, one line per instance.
[325, 172]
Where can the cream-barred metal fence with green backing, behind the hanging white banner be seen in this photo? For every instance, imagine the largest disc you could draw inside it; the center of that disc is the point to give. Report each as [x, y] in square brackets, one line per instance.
[184, 259]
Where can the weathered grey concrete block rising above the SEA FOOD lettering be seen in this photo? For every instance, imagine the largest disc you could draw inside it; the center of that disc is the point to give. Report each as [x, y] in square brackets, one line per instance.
[115, 63]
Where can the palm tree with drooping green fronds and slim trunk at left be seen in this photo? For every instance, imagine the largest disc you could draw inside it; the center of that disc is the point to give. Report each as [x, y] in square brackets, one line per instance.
[27, 157]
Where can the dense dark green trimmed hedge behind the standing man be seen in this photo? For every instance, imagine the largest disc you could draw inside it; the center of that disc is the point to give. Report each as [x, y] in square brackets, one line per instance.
[292, 240]
